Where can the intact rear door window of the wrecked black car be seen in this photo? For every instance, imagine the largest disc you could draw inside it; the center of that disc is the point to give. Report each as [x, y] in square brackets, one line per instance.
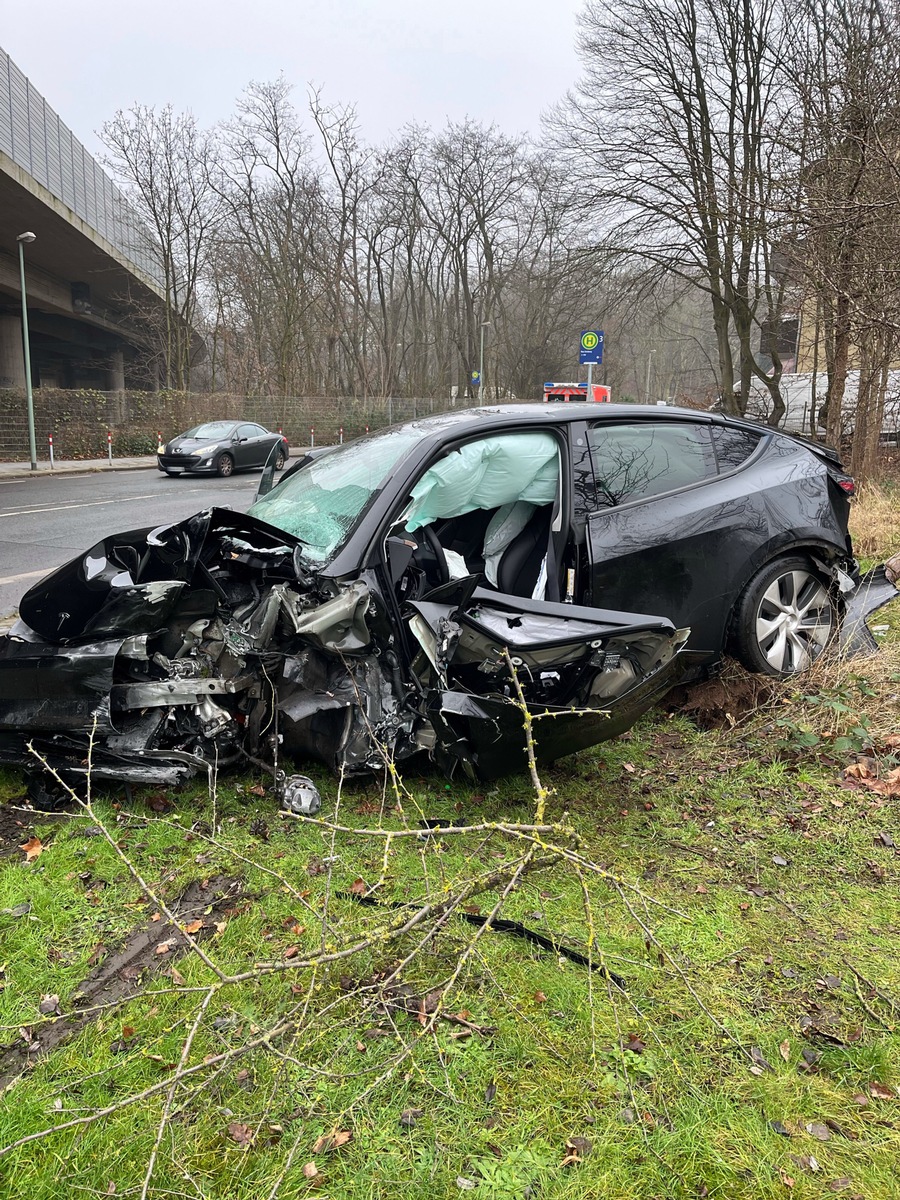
[635, 461]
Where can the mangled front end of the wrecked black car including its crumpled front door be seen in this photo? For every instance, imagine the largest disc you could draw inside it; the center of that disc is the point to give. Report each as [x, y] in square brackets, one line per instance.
[158, 656]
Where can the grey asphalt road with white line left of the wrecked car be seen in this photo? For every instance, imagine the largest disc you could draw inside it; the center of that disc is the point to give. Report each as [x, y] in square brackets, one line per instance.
[45, 523]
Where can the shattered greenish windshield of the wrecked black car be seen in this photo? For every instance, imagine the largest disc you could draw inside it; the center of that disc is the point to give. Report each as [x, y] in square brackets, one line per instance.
[322, 503]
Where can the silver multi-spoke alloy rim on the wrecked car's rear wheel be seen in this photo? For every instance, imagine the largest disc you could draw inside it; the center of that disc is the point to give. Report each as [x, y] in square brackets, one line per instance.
[794, 622]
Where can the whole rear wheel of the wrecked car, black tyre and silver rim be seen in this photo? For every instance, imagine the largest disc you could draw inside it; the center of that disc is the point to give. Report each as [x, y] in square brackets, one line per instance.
[785, 619]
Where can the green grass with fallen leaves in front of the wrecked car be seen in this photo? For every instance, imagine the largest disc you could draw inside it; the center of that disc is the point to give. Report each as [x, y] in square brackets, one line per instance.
[731, 956]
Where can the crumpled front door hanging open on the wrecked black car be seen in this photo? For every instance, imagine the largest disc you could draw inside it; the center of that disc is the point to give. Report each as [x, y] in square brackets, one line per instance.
[585, 674]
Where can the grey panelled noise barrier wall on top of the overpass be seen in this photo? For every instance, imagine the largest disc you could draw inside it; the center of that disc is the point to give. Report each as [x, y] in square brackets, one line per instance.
[33, 135]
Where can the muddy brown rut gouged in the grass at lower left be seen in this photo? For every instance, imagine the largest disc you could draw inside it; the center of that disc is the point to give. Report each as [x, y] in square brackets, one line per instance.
[123, 975]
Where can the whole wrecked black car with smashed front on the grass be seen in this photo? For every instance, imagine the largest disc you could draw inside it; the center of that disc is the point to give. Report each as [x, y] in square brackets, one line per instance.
[405, 593]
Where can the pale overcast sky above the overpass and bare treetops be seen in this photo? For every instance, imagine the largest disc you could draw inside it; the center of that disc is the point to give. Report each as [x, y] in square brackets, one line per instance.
[501, 62]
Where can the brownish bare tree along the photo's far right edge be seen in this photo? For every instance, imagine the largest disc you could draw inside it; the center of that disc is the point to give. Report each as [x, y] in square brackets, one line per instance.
[843, 70]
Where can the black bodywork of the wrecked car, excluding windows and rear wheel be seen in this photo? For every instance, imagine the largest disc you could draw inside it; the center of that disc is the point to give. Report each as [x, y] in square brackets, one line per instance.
[351, 683]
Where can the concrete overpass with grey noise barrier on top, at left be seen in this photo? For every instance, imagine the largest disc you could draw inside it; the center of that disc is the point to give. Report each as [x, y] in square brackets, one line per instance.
[91, 268]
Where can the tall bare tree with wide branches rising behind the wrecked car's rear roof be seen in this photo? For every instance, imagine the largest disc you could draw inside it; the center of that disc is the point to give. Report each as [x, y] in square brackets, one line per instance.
[671, 124]
